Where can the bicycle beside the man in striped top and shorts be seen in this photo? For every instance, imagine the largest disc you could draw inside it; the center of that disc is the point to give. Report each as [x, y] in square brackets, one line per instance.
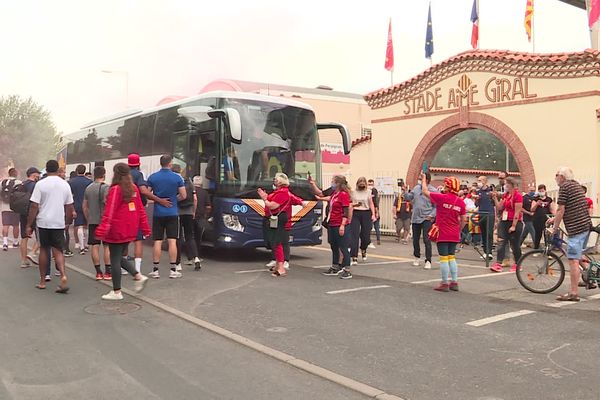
[543, 271]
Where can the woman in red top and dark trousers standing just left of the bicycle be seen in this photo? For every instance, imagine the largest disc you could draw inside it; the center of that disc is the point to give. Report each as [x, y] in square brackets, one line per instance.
[510, 226]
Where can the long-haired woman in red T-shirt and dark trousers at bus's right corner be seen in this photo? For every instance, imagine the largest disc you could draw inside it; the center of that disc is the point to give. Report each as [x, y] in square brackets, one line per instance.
[338, 218]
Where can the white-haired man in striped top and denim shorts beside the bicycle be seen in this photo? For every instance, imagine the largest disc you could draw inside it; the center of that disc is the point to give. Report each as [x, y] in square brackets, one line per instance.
[573, 210]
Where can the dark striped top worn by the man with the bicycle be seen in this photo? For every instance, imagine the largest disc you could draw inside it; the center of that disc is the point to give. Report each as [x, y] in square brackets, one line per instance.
[577, 218]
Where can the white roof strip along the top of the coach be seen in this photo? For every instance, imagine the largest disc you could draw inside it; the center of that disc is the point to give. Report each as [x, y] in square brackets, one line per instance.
[208, 95]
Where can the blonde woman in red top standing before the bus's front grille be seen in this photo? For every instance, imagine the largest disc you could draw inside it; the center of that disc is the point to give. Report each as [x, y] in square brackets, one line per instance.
[278, 207]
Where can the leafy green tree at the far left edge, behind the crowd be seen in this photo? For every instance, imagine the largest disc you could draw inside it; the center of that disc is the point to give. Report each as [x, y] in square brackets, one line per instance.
[28, 136]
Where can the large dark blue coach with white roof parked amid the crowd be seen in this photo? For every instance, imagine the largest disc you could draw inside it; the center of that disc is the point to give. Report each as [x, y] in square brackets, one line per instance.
[236, 142]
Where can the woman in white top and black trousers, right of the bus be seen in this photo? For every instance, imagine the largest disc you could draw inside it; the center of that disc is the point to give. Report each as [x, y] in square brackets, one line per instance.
[363, 216]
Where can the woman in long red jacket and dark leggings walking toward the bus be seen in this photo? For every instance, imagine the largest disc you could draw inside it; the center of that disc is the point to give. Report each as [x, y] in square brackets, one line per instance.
[124, 216]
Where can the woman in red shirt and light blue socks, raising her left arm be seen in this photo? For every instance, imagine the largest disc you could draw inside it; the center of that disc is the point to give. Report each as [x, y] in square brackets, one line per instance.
[450, 220]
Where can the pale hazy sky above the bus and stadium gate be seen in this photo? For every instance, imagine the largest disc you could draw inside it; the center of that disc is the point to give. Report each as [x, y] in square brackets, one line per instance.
[55, 50]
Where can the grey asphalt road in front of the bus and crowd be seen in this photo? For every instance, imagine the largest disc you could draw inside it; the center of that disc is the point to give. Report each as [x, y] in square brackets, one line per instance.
[385, 328]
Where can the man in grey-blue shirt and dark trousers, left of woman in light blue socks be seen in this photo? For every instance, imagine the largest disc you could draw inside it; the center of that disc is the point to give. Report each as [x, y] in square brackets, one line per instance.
[422, 218]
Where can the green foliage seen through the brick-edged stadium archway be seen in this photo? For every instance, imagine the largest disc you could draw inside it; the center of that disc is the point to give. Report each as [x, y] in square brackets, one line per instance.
[474, 149]
